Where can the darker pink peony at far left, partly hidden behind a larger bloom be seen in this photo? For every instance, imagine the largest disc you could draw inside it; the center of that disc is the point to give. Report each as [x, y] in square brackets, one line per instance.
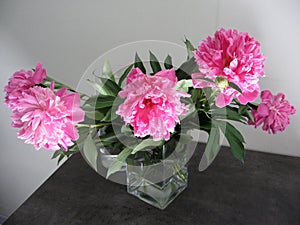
[21, 81]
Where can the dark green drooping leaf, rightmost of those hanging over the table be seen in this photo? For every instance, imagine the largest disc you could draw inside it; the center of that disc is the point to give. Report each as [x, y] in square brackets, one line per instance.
[235, 140]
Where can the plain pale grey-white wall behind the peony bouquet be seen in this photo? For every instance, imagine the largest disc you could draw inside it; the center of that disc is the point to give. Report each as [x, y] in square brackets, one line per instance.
[68, 35]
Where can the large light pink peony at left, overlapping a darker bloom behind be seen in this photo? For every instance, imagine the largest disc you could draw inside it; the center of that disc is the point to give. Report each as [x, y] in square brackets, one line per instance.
[48, 119]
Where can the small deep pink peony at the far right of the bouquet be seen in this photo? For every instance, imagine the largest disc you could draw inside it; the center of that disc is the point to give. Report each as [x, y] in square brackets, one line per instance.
[273, 112]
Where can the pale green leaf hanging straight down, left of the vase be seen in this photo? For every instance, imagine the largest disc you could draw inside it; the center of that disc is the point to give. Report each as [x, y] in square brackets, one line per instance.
[90, 151]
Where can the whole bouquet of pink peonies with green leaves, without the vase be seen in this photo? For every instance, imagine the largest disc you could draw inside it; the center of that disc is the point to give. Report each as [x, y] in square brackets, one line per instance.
[141, 111]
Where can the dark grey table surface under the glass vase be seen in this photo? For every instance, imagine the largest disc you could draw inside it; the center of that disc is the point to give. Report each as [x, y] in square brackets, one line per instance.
[263, 190]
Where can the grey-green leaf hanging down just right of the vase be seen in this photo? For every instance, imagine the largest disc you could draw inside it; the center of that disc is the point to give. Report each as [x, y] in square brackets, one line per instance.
[213, 144]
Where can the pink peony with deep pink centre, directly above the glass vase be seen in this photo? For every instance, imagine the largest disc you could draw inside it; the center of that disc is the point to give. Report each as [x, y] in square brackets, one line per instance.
[152, 104]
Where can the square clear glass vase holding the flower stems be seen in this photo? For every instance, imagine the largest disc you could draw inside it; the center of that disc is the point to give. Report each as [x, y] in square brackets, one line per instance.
[157, 185]
